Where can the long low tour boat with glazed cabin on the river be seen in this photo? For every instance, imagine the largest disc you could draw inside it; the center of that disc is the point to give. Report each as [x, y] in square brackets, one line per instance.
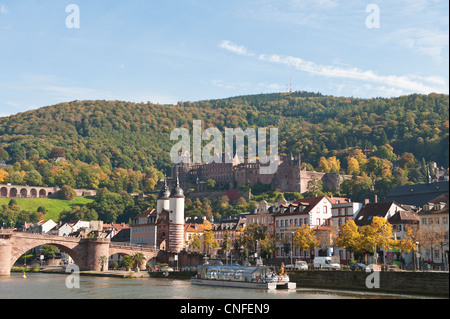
[257, 277]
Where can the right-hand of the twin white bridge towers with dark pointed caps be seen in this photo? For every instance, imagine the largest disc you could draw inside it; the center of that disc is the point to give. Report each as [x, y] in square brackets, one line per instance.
[176, 218]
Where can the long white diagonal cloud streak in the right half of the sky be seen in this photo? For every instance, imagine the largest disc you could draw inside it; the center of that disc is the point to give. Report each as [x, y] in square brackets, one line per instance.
[407, 83]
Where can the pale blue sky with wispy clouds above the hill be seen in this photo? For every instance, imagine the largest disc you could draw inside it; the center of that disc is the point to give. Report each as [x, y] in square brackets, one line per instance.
[54, 51]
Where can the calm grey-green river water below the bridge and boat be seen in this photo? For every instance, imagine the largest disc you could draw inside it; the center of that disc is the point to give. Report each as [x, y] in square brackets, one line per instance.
[53, 286]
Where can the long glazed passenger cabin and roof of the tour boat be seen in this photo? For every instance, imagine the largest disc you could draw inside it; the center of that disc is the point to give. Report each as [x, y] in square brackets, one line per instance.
[235, 273]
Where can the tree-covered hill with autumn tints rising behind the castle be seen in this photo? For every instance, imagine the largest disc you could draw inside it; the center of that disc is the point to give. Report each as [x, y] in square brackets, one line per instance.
[108, 135]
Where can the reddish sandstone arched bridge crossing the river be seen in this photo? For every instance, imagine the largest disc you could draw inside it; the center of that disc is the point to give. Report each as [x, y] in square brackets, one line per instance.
[85, 252]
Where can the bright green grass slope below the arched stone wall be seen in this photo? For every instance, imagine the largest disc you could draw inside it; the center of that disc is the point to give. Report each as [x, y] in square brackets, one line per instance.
[54, 206]
